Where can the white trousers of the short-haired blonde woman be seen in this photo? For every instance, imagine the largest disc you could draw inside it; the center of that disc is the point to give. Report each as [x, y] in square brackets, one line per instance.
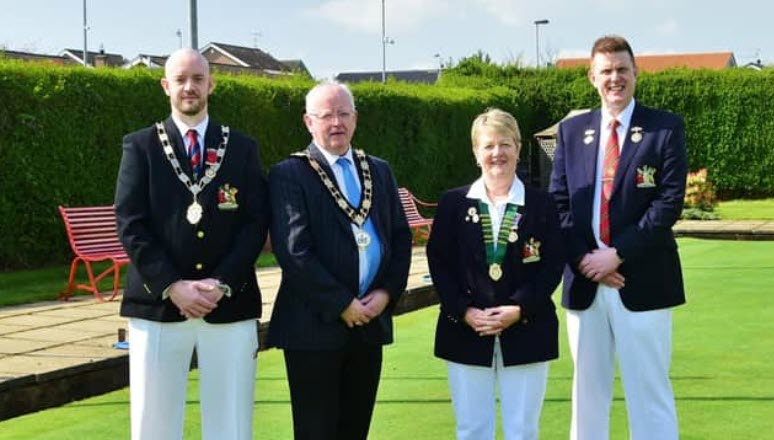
[474, 390]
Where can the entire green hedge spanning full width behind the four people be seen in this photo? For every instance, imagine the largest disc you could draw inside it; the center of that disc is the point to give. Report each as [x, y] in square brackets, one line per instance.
[61, 130]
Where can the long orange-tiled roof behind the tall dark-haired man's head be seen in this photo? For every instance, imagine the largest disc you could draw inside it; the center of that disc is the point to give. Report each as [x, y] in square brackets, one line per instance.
[656, 63]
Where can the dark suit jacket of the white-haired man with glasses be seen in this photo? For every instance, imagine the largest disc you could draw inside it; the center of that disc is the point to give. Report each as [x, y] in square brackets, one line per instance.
[313, 241]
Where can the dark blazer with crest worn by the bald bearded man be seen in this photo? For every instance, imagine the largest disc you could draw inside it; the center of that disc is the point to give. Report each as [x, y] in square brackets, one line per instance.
[163, 247]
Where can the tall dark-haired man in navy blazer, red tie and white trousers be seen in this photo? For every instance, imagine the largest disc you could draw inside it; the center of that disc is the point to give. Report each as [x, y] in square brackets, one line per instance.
[619, 180]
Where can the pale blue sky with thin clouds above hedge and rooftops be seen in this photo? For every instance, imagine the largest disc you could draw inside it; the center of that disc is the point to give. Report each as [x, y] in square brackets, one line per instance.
[333, 36]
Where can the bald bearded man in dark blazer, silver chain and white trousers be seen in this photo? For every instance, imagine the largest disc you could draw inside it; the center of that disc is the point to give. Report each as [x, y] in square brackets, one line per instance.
[192, 212]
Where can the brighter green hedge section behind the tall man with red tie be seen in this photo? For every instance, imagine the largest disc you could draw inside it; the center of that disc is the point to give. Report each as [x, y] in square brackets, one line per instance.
[728, 114]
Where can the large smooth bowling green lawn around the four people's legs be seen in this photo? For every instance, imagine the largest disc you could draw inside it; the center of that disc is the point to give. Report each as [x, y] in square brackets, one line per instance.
[721, 369]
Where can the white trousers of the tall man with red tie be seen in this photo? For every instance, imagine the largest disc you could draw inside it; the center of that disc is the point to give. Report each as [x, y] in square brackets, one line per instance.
[643, 343]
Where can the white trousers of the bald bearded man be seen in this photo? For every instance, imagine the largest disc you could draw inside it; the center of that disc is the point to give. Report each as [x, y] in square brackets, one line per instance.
[159, 359]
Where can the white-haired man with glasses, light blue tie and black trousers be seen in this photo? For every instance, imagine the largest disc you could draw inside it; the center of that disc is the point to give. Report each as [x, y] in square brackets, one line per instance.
[342, 240]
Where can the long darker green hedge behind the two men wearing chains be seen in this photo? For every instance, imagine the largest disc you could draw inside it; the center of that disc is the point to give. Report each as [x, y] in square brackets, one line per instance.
[61, 131]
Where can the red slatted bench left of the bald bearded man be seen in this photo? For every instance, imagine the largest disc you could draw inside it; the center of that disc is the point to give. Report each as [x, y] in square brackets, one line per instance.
[92, 235]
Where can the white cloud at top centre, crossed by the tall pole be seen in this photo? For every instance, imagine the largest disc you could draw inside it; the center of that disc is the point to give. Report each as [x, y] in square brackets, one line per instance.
[366, 16]
